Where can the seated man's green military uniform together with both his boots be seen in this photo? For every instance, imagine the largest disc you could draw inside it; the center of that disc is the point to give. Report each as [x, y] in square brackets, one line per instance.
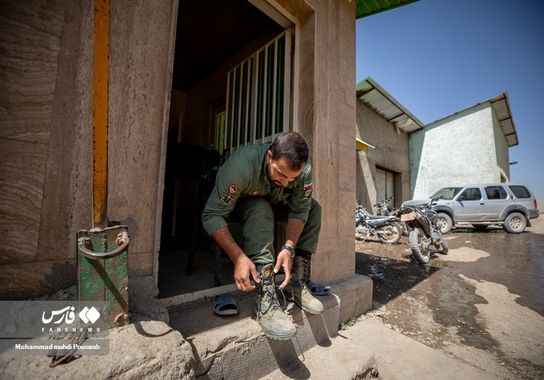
[243, 193]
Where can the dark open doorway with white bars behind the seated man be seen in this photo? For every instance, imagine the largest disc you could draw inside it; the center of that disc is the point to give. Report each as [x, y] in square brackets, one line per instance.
[228, 90]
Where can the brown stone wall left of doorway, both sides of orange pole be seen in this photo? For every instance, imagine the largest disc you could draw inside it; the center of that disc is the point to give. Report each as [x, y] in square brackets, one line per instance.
[46, 138]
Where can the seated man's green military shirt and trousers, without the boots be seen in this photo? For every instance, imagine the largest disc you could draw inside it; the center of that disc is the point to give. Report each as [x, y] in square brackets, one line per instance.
[243, 193]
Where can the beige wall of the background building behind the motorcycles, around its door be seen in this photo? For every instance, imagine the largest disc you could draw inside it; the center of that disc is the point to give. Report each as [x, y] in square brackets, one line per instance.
[391, 152]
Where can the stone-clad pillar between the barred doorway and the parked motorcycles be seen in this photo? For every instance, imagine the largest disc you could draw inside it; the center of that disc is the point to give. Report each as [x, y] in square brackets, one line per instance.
[326, 115]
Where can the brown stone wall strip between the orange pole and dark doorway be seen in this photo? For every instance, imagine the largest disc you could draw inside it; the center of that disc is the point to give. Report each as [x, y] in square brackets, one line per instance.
[141, 35]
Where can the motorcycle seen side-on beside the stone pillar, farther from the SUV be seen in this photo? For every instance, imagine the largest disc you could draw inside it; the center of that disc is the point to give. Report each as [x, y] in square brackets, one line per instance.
[384, 227]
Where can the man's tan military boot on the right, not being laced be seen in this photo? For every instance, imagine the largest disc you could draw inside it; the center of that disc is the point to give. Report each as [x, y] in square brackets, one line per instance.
[298, 290]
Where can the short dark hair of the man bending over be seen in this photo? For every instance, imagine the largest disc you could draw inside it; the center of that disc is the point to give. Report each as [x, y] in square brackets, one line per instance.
[291, 146]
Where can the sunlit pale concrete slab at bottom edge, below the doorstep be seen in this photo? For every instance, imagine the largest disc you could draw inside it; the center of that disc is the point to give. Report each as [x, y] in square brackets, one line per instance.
[371, 350]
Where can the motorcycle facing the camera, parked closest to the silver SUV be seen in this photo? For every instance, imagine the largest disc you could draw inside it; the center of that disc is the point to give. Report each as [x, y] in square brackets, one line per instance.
[424, 231]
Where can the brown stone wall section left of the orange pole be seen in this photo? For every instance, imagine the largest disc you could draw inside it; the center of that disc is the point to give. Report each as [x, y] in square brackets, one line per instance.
[45, 142]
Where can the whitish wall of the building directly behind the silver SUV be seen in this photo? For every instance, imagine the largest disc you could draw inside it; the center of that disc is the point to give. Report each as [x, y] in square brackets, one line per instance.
[457, 150]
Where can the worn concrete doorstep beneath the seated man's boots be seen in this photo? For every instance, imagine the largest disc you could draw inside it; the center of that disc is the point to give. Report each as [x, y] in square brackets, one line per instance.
[235, 347]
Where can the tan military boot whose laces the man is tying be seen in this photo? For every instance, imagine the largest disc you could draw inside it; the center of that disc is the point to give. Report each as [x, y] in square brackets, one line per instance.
[274, 322]
